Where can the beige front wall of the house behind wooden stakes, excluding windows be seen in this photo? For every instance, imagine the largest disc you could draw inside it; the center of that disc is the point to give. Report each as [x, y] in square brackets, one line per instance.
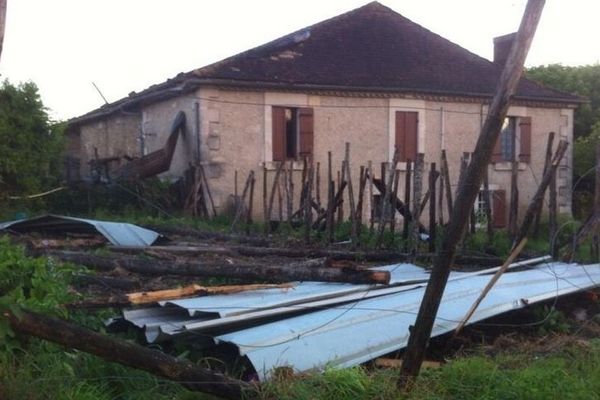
[236, 135]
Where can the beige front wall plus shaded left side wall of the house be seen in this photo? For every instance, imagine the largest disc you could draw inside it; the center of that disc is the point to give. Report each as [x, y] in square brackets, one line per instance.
[235, 135]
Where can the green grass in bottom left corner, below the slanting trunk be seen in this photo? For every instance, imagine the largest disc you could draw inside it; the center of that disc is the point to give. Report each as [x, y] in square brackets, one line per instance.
[46, 371]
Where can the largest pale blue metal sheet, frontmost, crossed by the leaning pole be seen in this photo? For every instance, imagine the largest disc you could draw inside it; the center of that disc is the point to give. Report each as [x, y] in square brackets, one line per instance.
[357, 332]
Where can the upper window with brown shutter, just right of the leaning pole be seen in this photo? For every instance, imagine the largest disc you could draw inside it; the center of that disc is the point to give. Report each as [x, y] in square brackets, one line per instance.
[515, 138]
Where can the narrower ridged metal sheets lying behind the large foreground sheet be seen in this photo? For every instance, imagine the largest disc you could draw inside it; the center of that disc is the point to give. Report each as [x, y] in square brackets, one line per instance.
[214, 314]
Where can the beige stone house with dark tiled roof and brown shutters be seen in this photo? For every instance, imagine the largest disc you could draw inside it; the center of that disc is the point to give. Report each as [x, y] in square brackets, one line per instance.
[369, 77]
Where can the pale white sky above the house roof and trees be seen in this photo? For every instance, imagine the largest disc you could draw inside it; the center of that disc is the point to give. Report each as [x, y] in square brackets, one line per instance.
[125, 45]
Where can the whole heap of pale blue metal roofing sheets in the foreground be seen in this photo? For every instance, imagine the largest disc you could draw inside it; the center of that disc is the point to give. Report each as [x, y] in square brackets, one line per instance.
[313, 325]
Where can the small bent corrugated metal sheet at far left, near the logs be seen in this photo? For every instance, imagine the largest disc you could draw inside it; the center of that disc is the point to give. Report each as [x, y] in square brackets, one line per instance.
[117, 233]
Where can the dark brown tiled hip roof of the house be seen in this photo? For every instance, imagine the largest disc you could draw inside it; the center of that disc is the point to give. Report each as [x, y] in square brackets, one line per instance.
[371, 48]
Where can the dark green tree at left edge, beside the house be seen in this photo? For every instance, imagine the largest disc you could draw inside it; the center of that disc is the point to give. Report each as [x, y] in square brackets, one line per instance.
[30, 144]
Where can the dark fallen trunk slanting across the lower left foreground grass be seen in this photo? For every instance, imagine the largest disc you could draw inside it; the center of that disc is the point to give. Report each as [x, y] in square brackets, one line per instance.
[129, 354]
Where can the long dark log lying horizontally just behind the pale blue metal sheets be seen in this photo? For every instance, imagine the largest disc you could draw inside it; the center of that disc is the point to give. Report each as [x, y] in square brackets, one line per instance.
[276, 273]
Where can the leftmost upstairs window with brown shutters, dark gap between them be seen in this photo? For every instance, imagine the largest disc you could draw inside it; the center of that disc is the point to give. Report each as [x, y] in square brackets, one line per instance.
[292, 133]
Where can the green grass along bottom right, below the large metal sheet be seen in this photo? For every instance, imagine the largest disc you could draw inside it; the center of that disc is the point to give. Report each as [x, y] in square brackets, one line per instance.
[570, 374]
